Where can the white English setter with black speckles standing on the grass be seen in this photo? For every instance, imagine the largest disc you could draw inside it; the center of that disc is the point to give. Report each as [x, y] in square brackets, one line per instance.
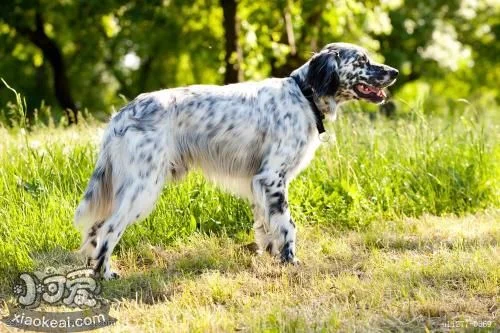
[252, 138]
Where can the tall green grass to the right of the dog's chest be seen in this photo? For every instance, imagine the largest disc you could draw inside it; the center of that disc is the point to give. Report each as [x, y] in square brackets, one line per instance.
[406, 167]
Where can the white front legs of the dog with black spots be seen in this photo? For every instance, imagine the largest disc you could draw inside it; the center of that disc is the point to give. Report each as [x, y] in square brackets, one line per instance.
[274, 227]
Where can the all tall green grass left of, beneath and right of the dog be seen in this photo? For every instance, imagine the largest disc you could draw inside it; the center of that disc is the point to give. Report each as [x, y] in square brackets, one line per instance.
[373, 170]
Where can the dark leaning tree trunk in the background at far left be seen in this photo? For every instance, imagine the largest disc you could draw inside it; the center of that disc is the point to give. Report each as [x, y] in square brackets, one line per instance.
[52, 52]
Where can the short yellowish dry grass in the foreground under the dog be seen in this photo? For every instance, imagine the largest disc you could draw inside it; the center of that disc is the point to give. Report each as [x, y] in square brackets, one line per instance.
[399, 276]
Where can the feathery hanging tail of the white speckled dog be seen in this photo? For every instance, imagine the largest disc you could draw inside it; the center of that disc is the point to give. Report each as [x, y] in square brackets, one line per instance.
[97, 202]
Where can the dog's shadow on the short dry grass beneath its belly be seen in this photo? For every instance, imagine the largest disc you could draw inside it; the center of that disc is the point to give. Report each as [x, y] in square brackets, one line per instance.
[160, 274]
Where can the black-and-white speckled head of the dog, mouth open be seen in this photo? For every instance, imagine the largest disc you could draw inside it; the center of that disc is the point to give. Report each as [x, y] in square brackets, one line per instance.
[345, 72]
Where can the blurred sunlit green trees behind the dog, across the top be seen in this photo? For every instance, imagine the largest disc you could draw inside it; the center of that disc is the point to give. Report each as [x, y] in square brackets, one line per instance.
[75, 54]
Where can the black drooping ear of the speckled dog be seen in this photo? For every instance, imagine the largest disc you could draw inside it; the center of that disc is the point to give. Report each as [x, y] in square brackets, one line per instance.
[322, 75]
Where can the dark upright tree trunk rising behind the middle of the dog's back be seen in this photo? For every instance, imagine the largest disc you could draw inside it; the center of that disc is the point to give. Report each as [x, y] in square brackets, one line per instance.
[231, 30]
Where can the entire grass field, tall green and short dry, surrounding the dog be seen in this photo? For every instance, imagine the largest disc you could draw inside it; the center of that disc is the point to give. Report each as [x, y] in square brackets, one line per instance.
[375, 255]
